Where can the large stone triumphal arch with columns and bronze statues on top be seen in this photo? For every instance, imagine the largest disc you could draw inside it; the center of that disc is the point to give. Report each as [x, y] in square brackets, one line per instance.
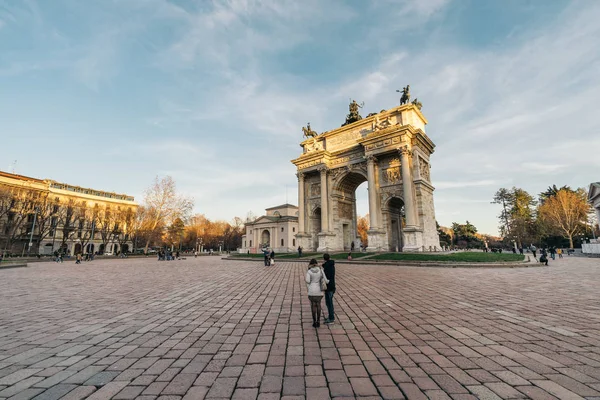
[391, 151]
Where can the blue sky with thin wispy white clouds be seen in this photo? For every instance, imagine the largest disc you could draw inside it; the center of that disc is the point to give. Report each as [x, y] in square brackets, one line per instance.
[109, 94]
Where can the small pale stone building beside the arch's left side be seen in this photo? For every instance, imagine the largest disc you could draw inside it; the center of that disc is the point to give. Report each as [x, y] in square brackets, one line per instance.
[276, 230]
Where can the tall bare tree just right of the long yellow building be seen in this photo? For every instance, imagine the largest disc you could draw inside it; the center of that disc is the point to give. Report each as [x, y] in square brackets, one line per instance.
[164, 205]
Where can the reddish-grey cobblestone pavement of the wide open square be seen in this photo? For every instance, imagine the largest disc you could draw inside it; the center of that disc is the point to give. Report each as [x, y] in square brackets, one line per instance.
[207, 328]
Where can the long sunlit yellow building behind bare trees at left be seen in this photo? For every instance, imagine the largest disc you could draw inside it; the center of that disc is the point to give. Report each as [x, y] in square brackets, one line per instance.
[64, 218]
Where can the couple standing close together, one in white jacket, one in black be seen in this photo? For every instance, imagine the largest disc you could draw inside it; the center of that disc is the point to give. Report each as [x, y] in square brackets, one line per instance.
[321, 282]
